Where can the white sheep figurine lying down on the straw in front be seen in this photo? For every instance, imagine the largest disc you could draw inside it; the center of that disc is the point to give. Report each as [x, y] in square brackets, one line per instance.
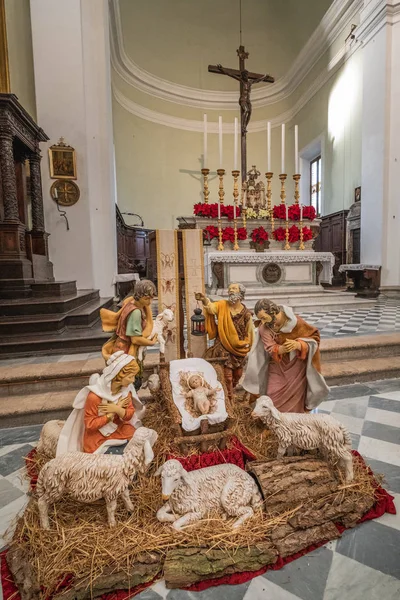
[192, 495]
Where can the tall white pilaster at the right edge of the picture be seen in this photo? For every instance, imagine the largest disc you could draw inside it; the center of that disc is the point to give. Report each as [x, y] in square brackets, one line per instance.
[379, 32]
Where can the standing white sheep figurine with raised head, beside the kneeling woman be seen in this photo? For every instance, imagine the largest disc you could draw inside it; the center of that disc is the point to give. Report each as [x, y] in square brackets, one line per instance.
[89, 477]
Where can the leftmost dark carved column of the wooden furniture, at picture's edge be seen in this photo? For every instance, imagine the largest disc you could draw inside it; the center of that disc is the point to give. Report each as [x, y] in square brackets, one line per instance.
[8, 178]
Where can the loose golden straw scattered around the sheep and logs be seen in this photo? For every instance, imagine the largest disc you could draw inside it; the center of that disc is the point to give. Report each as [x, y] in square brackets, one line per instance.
[81, 543]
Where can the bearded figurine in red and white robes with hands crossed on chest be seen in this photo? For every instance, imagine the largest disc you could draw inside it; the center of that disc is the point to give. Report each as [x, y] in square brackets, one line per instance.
[284, 362]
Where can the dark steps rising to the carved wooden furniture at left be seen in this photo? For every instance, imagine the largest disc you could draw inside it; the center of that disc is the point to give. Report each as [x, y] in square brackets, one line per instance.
[55, 318]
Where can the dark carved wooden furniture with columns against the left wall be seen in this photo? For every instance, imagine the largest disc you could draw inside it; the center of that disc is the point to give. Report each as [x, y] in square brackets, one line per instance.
[23, 239]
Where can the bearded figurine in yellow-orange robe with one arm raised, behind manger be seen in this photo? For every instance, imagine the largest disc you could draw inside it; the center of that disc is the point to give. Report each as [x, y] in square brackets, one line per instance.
[230, 324]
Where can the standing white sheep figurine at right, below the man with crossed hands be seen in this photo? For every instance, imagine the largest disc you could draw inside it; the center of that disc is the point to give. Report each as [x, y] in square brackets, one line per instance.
[307, 432]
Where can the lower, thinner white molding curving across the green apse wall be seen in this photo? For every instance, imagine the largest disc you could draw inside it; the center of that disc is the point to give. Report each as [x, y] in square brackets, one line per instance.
[255, 126]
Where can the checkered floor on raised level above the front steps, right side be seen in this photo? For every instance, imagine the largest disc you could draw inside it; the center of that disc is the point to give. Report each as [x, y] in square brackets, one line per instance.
[381, 318]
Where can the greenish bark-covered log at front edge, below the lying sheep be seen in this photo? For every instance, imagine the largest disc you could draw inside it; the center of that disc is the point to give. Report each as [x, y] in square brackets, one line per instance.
[185, 566]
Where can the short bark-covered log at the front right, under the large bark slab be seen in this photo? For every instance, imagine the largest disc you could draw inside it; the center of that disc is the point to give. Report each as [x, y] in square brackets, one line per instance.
[288, 540]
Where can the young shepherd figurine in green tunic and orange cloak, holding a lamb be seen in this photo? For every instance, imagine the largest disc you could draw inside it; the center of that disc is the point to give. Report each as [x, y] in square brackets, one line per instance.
[131, 325]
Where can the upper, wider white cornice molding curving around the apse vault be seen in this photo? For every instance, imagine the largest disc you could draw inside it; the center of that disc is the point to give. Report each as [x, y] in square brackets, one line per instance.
[338, 16]
